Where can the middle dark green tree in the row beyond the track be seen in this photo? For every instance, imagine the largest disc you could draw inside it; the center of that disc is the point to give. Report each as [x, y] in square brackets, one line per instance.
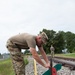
[59, 42]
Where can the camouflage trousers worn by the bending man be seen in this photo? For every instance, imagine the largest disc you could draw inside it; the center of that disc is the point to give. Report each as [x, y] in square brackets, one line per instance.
[17, 58]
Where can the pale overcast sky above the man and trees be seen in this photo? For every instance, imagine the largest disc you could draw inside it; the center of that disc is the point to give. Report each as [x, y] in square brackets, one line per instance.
[18, 16]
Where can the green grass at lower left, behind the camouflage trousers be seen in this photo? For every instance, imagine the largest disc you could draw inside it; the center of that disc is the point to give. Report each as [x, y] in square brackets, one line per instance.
[6, 67]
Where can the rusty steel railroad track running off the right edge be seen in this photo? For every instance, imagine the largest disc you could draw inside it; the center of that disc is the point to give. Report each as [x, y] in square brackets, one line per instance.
[68, 62]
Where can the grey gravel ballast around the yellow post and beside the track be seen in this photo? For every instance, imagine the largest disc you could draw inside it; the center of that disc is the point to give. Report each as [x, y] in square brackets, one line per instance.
[40, 69]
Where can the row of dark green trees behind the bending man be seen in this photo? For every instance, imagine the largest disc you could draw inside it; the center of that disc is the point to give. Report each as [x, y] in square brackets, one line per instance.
[60, 40]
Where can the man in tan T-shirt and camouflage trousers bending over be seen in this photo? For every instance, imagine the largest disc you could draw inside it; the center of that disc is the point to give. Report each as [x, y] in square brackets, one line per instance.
[26, 41]
